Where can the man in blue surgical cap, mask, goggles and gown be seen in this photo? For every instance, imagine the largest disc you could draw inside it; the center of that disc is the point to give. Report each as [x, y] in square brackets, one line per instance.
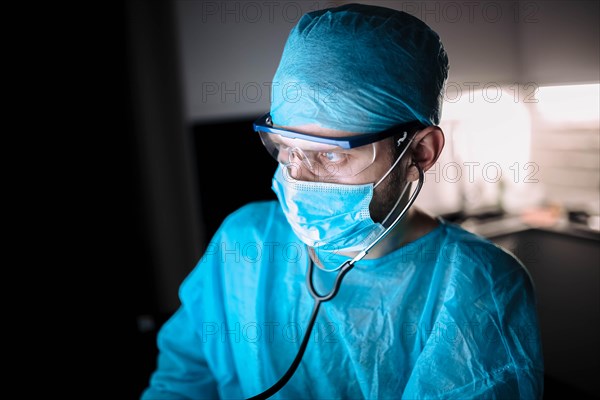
[342, 289]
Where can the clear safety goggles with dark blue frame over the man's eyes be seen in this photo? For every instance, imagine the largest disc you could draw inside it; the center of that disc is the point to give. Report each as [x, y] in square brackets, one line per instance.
[328, 156]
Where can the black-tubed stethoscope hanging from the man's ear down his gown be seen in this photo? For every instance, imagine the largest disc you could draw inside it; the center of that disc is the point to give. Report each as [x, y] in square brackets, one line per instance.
[322, 298]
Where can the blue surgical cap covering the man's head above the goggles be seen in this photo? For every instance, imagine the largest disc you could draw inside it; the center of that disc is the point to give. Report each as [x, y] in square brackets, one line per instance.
[359, 68]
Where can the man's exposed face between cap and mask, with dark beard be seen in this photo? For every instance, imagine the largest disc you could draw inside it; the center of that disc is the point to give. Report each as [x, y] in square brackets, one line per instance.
[385, 194]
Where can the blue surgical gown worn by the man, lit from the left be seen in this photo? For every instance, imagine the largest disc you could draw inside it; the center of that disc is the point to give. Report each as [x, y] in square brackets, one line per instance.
[448, 316]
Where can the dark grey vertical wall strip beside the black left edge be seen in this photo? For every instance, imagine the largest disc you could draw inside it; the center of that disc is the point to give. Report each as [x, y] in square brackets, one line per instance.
[164, 238]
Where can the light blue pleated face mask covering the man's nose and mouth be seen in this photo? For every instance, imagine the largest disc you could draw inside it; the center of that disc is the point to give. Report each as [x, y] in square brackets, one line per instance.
[326, 215]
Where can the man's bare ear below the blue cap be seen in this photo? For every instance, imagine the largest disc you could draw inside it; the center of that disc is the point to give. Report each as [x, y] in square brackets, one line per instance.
[425, 150]
